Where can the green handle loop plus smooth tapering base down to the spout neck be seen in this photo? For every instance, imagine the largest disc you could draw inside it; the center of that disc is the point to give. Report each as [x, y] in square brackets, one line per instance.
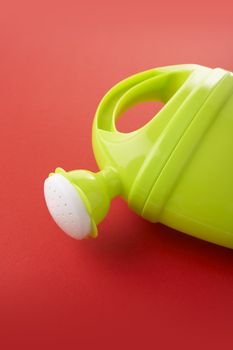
[125, 152]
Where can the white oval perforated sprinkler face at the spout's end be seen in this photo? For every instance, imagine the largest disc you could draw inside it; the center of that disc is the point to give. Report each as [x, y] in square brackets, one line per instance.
[67, 207]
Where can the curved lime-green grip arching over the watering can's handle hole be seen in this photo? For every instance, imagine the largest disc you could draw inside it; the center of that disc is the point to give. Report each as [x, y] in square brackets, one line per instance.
[152, 85]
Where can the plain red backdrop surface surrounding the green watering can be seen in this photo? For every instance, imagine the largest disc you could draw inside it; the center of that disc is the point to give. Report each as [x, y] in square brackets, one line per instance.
[139, 285]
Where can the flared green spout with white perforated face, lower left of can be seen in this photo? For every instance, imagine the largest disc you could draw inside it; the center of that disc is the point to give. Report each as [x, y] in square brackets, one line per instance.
[79, 200]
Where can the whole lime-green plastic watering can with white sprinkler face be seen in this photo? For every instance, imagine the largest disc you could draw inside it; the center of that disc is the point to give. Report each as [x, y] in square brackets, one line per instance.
[177, 169]
